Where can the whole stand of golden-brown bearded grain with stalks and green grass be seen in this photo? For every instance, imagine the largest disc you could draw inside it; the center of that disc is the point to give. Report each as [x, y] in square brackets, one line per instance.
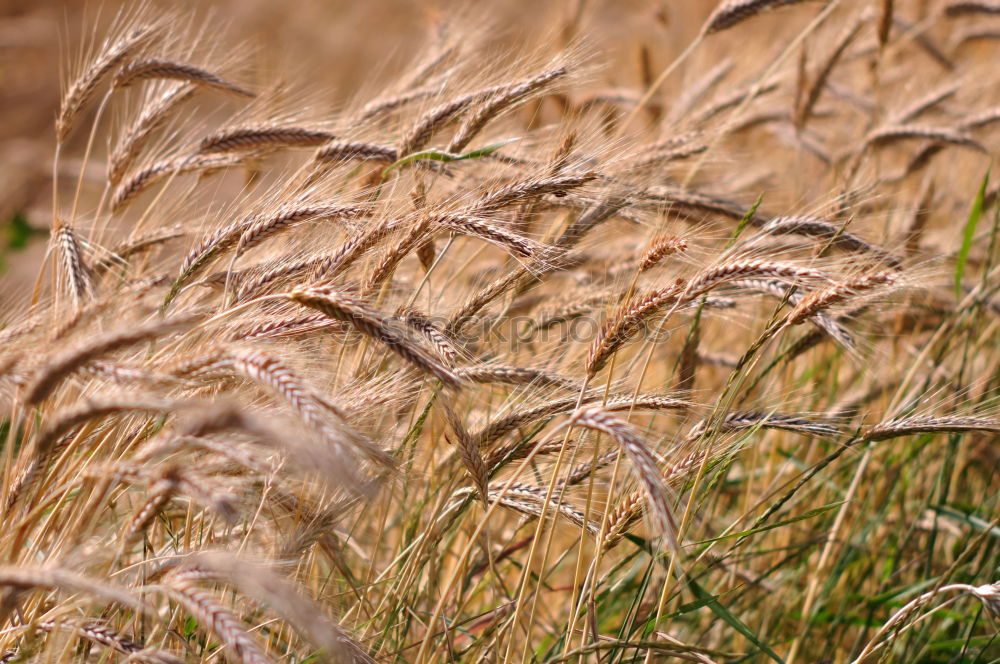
[495, 366]
